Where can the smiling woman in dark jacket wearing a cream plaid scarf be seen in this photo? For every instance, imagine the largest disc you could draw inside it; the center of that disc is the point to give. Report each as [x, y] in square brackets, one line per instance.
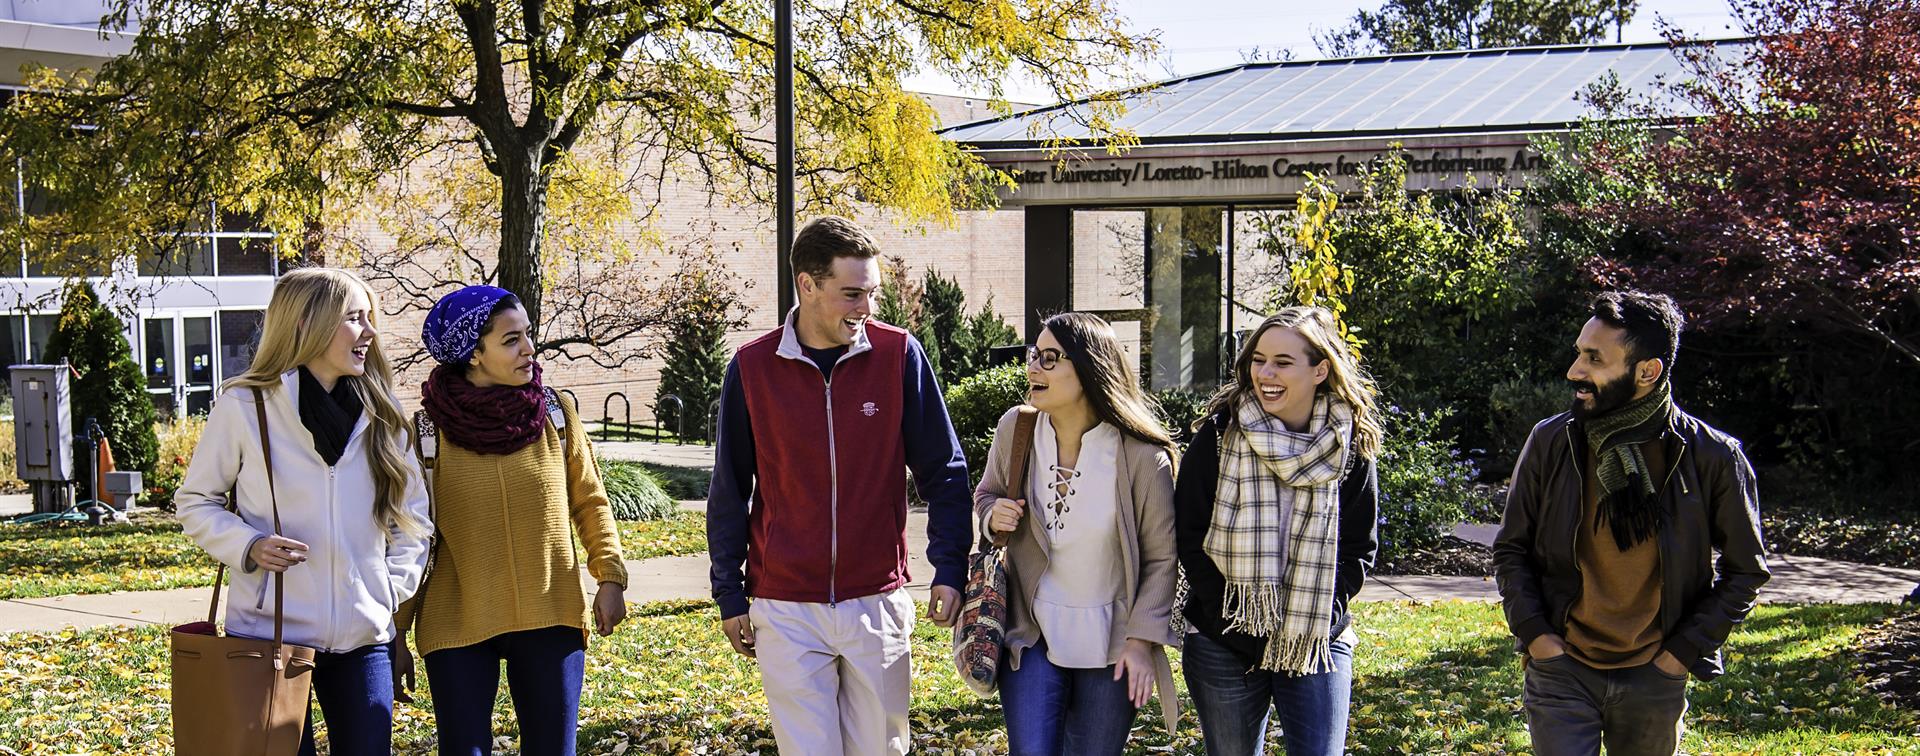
[1276, 529]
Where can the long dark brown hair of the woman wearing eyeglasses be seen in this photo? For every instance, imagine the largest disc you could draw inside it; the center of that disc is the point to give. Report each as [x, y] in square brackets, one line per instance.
[1111, 383]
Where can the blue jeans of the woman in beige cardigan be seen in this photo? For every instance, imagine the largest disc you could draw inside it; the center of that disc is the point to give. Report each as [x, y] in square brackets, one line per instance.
[1057, 711]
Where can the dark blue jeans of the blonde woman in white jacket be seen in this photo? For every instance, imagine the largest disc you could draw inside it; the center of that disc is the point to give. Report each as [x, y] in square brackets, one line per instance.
[356, 694]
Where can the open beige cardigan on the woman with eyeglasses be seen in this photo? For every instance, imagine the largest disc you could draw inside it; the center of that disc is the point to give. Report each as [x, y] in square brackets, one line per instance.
[1147, 559]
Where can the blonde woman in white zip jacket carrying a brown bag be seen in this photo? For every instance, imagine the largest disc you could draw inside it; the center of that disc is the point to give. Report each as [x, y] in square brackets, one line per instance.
[352, 506]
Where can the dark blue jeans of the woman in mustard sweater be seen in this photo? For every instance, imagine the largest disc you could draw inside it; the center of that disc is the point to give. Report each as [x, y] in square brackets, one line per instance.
[544, 669]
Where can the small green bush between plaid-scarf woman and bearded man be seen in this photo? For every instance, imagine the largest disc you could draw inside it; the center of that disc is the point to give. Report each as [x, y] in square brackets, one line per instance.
[1426, 484]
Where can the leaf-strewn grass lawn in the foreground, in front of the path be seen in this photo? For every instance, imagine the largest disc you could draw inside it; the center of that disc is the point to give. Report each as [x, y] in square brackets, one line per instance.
[1431, 680]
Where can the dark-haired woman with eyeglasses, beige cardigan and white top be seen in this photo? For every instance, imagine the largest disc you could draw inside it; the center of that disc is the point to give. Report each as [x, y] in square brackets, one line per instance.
[1090, 542]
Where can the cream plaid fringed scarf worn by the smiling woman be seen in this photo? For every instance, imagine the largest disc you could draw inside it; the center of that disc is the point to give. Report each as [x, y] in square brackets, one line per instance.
[1276, 531]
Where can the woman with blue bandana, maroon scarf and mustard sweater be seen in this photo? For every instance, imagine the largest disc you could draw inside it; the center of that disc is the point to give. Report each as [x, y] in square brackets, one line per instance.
[514, 484]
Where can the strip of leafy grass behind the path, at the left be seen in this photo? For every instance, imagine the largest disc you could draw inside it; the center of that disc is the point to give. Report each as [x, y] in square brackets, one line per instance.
[156, 555]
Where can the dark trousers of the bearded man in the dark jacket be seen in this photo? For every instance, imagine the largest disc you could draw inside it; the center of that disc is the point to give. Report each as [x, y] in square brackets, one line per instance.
[1572, 709]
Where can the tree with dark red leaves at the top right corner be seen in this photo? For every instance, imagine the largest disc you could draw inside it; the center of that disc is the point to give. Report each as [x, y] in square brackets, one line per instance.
[1794, 201]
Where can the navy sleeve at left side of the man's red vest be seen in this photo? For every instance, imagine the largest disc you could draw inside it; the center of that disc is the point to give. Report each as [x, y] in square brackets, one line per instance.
[729, 498]
